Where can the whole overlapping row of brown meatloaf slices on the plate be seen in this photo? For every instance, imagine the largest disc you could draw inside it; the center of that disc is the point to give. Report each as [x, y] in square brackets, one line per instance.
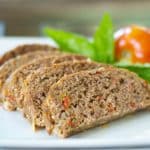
[67, 93]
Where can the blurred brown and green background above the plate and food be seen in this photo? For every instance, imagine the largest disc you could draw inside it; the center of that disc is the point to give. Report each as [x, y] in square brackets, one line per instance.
[28, 17]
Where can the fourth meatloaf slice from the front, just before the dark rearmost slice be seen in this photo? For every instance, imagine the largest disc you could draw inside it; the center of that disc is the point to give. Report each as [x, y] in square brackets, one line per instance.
[11, 65]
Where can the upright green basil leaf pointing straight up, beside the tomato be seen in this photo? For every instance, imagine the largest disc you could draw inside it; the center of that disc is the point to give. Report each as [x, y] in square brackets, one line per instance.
[104, 40]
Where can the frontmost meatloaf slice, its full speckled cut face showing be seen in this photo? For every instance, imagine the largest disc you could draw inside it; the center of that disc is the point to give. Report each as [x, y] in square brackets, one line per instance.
[90, 98]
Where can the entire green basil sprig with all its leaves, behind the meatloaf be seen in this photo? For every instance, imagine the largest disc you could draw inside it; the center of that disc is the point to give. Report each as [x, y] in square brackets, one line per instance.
[100, 48]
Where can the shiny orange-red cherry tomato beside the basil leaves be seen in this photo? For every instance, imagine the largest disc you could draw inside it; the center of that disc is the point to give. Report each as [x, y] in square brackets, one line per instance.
[133, 43]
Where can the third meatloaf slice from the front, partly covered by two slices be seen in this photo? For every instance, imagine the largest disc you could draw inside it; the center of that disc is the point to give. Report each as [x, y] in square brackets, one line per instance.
[13, 92]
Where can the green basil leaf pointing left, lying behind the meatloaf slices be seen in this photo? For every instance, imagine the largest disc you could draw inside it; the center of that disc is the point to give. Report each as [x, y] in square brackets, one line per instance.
[70, 42]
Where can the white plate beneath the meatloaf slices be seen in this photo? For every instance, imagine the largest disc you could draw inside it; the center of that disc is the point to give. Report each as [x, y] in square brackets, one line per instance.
[15, 131]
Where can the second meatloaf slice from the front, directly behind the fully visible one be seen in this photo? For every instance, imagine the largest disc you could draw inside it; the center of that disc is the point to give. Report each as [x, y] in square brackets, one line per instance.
[38, 84]
